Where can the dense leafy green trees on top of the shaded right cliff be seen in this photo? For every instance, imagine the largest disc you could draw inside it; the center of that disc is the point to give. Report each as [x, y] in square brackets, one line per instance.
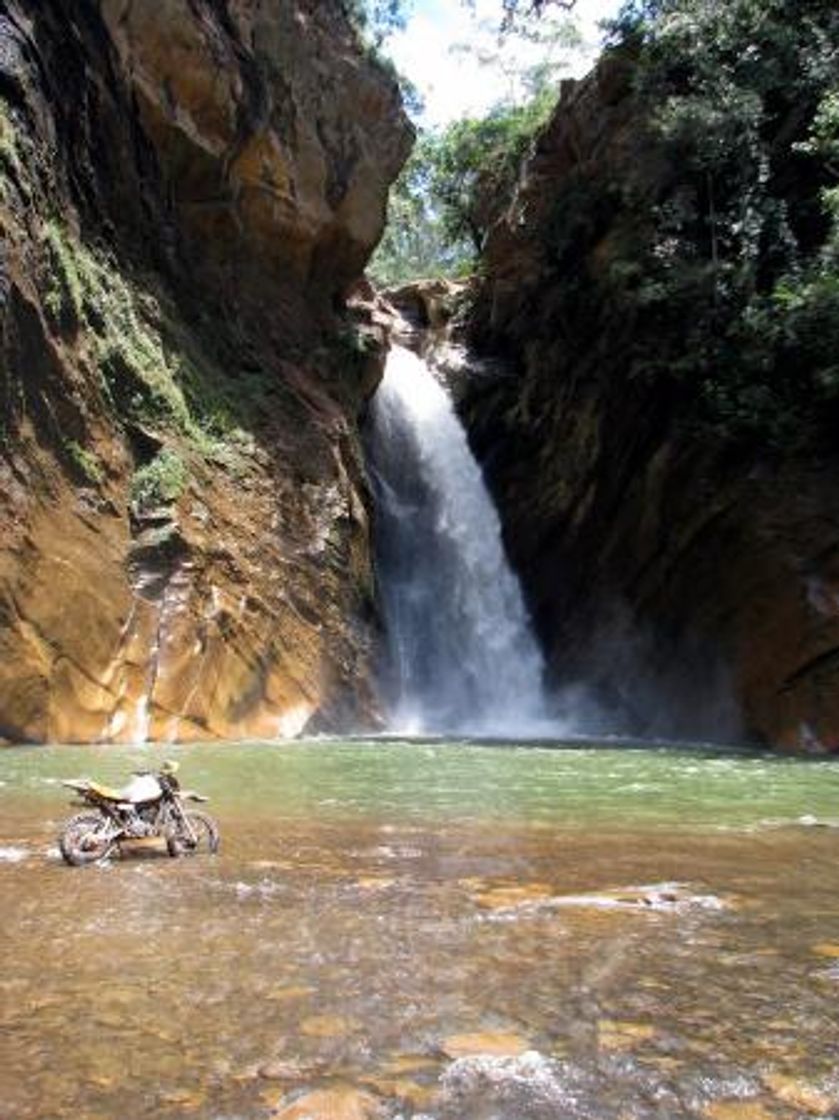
[722, 277]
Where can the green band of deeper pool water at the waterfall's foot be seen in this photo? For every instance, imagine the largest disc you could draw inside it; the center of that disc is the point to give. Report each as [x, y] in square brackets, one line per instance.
[565, 785]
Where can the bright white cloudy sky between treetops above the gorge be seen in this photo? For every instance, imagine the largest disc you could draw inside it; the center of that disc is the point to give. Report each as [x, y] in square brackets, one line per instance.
[453, 83]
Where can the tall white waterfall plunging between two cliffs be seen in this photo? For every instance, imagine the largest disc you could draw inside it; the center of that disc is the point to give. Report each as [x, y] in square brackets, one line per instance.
[462, 657]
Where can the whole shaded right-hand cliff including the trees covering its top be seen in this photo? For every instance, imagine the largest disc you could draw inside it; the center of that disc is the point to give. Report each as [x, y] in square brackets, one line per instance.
[664, 301]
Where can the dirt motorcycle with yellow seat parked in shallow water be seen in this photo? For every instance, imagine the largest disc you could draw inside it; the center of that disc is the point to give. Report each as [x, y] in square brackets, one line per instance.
[152, 806]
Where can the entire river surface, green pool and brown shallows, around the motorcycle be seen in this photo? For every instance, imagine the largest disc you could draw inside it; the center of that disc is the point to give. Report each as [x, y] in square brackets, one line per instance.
[437, 930]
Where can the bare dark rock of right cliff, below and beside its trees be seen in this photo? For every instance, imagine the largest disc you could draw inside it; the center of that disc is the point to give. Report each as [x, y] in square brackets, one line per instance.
[693, 584]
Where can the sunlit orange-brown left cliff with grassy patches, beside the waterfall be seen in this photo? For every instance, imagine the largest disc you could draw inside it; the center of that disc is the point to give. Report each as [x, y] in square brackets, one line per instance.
[188, 191]
